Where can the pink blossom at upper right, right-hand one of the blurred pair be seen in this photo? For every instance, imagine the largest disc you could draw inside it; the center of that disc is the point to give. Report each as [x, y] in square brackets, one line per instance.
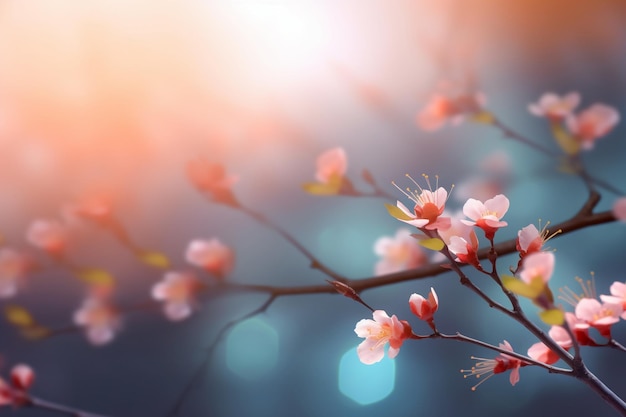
[592, 123]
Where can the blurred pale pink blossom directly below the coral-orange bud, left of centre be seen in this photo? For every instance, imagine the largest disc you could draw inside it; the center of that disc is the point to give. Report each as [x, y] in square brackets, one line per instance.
[211, 255]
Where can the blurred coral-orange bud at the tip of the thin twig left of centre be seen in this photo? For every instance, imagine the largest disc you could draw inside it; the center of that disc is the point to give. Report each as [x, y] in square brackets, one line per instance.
[212, 179]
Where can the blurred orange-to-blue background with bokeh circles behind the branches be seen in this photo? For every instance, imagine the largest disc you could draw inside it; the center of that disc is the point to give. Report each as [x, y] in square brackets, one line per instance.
[121, 95]
